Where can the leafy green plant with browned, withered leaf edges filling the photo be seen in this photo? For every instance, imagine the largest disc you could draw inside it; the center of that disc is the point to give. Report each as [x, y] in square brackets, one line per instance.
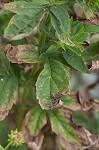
[42, 43]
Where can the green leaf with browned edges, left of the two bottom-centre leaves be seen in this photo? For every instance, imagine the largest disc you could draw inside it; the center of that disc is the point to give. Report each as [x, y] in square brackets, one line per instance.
[37, 120]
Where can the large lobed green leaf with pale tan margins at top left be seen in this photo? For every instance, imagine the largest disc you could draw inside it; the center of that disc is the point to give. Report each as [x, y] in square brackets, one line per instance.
[23, 23]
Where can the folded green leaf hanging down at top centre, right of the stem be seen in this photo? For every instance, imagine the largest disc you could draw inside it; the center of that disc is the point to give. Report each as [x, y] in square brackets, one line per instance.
[60, 21]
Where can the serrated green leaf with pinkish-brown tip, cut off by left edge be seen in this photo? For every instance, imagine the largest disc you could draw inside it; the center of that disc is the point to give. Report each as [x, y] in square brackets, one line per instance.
[8, 94]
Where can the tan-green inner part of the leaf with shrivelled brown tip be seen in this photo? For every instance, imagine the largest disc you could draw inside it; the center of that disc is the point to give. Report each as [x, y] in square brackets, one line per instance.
[27, 54]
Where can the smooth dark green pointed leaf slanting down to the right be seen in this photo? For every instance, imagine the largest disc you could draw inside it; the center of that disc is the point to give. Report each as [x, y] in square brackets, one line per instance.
[74, 60]
